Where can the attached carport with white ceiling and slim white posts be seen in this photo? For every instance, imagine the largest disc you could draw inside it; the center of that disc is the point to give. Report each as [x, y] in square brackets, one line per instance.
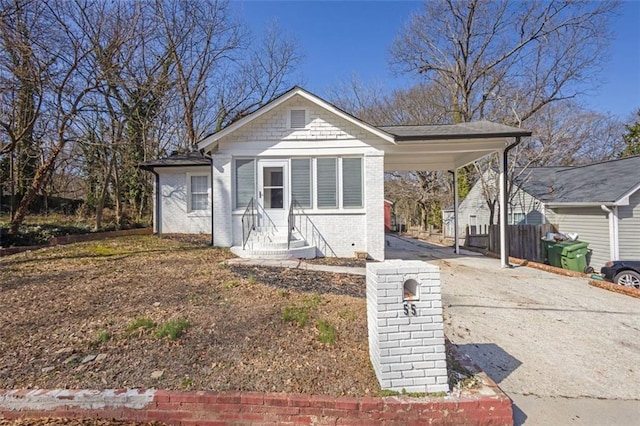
[447, 148]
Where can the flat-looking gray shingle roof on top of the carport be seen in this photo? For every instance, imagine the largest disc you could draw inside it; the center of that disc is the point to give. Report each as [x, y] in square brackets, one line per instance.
[478, 129]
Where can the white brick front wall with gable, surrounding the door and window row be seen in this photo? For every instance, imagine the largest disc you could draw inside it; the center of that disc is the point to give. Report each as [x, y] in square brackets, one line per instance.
[346, 231]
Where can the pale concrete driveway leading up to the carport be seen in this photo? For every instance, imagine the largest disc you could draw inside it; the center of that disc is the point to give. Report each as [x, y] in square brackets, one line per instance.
[565, 352]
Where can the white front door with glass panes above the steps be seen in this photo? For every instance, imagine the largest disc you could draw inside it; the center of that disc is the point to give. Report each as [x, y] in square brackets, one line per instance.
[273, 193]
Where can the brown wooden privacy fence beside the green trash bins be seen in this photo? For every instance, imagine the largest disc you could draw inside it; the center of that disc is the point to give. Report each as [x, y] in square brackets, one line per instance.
[524, 240]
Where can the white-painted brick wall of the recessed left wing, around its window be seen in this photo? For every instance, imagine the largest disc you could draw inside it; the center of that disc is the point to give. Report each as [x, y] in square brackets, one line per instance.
[173, 207]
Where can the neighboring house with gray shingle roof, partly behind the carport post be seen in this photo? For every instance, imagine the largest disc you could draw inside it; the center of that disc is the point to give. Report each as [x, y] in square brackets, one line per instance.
[600, 202]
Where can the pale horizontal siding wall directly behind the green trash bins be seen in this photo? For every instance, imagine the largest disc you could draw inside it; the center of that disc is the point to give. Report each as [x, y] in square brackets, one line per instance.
[592, 226]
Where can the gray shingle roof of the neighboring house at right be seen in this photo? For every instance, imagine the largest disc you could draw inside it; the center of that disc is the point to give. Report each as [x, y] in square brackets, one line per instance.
[609, 182]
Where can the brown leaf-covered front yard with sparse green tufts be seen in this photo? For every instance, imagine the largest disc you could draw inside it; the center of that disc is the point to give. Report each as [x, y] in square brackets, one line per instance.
[92, 315]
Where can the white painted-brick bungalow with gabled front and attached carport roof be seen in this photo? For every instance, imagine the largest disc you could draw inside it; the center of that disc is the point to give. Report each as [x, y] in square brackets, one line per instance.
[301, 178]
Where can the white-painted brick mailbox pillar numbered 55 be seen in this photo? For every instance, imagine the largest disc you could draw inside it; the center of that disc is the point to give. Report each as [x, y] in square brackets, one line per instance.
[406, 332]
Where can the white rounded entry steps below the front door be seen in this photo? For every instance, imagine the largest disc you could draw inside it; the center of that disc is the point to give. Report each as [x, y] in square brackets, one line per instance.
[271, 243]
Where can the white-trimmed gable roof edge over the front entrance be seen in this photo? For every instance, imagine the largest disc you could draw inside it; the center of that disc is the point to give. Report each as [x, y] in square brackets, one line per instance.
[209, 141]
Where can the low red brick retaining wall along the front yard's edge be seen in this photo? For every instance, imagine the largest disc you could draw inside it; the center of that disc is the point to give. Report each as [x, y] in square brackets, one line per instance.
[211, 408]
